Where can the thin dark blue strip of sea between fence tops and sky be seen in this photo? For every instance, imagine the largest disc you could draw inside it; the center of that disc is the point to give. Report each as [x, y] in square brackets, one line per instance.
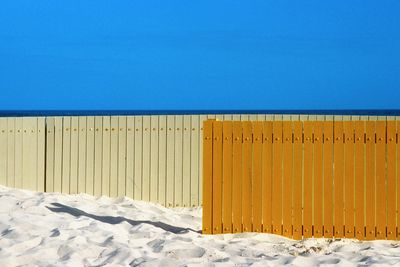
[55, 113]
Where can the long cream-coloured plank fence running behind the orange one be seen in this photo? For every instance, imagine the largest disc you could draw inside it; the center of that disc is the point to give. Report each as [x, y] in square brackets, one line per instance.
[155, 158]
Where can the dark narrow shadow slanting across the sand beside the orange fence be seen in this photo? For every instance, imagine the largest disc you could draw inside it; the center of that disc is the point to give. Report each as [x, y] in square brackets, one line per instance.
[116, 220]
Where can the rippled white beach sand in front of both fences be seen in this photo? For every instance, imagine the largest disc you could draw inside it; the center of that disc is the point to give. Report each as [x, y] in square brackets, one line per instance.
[39, 229]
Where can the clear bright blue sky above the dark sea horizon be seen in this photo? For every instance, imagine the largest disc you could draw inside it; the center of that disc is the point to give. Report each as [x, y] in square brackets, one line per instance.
[154, 55]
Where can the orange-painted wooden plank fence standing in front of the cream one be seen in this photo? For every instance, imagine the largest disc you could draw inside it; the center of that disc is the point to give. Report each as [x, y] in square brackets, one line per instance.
[302, 179]
